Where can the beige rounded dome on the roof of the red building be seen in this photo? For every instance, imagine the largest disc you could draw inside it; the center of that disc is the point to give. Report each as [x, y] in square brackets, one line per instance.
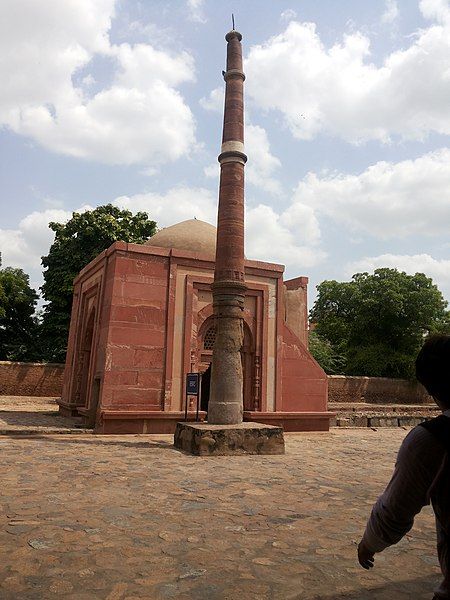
[192, 235]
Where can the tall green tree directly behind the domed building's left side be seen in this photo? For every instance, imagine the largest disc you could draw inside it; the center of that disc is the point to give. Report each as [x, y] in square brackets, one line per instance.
[76, 243]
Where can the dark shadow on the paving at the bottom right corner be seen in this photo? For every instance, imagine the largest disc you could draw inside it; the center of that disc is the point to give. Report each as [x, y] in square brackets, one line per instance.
[414, 588]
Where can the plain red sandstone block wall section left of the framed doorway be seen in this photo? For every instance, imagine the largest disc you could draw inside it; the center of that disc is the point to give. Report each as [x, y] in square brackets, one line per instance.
[133, 377]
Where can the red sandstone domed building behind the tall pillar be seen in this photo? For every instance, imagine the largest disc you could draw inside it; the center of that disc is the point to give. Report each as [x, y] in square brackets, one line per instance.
[142, 318]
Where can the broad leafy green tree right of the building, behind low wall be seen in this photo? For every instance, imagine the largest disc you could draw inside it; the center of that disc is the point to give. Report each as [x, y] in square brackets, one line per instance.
[378, 321]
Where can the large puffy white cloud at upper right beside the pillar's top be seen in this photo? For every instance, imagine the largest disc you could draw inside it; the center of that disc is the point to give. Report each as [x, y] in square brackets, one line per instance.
[339, 91]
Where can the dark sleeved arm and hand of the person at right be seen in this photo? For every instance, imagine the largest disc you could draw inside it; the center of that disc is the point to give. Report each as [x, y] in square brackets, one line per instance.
[392, 516]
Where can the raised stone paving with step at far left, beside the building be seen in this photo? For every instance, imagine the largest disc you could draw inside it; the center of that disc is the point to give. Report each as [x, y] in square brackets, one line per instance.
[34, 415]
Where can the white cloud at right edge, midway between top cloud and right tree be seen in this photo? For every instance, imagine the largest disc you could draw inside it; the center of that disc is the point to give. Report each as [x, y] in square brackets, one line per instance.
[386, 200]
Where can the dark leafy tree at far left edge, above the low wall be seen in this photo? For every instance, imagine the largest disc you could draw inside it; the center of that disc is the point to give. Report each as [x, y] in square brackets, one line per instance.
[18, 323]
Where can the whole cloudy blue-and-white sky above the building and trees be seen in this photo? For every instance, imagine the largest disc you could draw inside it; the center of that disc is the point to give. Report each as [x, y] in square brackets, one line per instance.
[347, 125]
